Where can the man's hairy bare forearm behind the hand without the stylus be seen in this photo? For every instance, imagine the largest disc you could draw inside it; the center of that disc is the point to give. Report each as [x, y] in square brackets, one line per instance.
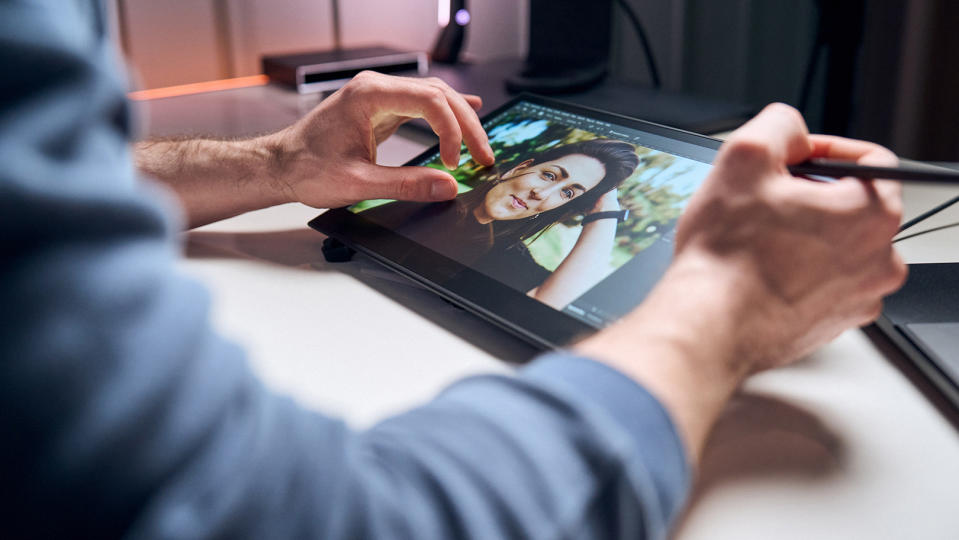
[217, 179]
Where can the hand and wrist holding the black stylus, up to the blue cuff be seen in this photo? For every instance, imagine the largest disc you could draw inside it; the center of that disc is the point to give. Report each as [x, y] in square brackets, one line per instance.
[767, 267]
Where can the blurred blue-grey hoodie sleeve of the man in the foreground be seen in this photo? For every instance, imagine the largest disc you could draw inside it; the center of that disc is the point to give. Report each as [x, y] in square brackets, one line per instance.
[123, 413]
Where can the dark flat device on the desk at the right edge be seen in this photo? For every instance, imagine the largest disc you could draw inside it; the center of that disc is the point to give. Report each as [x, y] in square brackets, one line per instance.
[922, 320]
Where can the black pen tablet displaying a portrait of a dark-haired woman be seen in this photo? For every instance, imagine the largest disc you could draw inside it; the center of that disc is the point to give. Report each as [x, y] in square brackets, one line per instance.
[565, 234]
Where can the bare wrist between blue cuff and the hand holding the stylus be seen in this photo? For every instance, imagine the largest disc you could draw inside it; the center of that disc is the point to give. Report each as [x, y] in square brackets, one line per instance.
[681, 344]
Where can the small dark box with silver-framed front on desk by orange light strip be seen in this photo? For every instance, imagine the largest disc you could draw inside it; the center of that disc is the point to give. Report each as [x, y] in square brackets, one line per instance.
[328, 70]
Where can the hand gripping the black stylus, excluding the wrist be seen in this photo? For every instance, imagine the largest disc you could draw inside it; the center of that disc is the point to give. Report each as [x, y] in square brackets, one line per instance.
[815, 257]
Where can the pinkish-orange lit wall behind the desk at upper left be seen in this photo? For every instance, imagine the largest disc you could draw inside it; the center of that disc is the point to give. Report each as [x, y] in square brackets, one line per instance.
[183, 41]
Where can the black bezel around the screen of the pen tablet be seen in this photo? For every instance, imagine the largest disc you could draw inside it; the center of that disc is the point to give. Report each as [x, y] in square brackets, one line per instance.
[519, 314]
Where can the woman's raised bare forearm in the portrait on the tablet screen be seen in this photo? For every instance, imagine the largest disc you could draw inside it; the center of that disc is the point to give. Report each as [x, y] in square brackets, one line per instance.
[585, 265]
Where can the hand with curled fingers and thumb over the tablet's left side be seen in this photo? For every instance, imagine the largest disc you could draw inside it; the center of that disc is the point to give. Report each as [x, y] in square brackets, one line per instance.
[329, 157]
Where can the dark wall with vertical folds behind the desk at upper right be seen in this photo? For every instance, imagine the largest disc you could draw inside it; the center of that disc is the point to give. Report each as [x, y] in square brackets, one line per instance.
[757, 51]
